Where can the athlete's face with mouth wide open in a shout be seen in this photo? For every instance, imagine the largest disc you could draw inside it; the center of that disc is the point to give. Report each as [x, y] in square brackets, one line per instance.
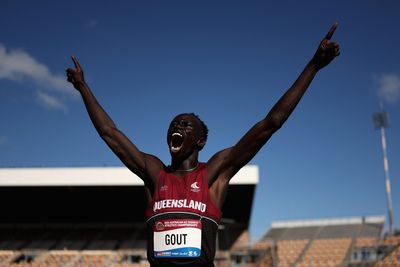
[184, 135]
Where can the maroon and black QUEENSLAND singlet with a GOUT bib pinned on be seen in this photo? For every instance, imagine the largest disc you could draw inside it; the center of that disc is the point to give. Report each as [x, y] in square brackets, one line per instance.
[182, 220]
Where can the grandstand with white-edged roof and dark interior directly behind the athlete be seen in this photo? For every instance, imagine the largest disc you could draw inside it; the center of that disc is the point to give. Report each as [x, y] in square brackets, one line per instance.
[85, 217]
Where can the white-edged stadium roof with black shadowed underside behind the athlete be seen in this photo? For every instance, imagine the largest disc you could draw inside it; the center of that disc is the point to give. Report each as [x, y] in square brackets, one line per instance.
[77, 197]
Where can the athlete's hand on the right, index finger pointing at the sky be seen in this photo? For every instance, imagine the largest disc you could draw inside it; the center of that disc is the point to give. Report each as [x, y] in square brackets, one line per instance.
[327, 50]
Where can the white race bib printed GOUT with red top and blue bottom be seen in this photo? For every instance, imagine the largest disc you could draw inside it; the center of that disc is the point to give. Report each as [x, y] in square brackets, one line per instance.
[177, 238]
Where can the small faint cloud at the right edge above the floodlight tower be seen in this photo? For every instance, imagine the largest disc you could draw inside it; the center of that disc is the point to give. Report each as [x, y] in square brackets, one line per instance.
[389, 87]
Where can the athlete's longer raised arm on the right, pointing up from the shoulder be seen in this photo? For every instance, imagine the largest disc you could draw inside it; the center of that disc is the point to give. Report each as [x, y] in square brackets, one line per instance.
[226, 163]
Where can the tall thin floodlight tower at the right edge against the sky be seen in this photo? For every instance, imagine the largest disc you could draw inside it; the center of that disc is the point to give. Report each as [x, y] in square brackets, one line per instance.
[381, 122]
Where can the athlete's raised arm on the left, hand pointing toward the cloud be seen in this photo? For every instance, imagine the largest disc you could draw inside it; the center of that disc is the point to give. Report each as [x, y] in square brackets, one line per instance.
[144, 165]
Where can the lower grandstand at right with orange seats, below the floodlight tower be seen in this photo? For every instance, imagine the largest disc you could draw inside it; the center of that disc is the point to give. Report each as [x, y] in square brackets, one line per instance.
[356, 241]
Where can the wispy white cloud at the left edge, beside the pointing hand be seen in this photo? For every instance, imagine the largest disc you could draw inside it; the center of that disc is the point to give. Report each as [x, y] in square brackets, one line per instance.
[17, 65]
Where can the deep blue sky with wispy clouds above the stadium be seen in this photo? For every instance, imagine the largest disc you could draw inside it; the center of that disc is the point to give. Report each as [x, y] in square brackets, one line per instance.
[229, 62]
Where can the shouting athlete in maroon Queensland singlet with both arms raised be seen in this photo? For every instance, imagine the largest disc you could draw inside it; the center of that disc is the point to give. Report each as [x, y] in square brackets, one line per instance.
[185, 198]
